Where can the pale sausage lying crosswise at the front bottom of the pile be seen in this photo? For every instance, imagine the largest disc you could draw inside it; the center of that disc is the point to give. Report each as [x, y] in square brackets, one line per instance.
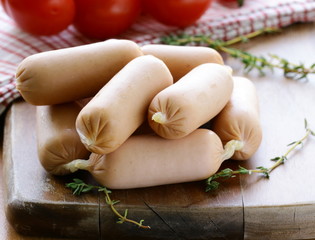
[149, 160]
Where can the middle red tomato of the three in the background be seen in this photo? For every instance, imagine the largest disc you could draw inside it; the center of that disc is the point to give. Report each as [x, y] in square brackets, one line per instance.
[103, 19]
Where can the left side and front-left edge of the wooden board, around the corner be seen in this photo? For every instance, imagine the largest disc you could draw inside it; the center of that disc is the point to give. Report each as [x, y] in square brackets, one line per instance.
[31, 218]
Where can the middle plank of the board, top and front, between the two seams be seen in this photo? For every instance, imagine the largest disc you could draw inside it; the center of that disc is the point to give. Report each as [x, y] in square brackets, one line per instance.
[179, 211]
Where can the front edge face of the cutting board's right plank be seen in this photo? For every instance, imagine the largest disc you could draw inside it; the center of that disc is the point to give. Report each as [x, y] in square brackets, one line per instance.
[288, 222]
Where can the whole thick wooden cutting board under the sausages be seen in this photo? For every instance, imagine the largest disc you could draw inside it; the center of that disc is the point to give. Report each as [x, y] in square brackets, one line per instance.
[245, 207]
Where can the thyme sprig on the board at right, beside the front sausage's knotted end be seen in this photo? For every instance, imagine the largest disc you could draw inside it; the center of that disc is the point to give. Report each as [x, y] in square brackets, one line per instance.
[212, 184]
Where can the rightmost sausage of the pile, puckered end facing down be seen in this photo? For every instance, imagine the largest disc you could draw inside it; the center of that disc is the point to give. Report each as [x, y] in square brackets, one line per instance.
[239, 120]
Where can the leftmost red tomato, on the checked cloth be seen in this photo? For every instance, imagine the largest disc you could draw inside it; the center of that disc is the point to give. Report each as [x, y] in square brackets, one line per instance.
[41, 17]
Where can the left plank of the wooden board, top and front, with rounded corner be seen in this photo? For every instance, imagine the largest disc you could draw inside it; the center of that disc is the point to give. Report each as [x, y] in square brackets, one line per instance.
[37, 203]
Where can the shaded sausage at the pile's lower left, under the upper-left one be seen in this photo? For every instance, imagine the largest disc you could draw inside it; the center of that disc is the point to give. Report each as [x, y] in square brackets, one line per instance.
[58, 143]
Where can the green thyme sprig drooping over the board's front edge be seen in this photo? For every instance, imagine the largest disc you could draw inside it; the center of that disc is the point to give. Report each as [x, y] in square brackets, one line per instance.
[78, 187]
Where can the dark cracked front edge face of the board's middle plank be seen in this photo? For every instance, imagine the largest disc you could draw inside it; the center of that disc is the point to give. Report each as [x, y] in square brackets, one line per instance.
[215, 223]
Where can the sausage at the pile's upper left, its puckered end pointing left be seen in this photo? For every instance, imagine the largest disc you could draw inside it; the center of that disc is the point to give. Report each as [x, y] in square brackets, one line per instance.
[69, 74]
